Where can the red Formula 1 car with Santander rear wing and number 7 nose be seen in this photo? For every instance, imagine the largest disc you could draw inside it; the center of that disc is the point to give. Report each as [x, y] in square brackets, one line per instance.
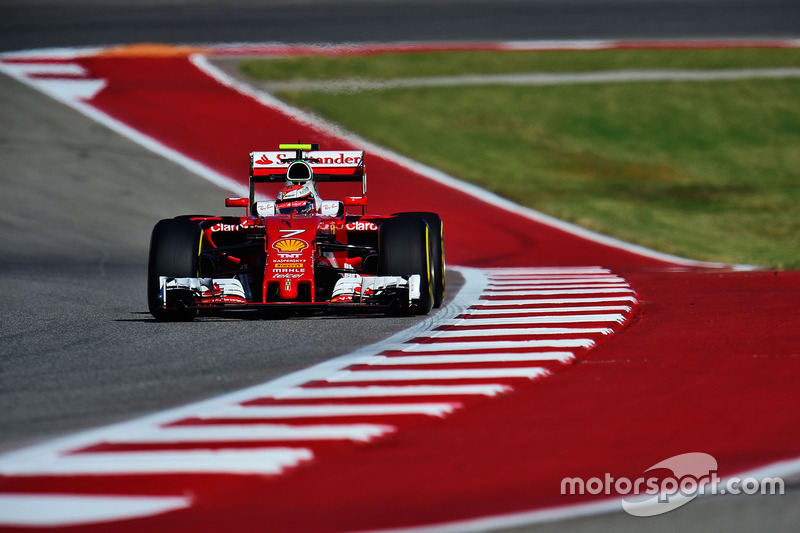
[296, 250]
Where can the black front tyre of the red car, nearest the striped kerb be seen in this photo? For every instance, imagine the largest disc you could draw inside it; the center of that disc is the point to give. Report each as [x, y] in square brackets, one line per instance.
[404, 250]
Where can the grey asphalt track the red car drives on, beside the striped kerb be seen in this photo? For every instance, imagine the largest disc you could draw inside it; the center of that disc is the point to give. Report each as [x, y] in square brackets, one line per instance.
[58, 374]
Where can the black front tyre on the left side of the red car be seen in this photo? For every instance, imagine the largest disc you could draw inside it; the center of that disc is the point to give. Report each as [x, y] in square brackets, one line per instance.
[175, 253]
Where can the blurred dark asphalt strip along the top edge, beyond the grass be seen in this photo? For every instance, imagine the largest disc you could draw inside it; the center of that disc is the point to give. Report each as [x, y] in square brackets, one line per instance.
[47, 23]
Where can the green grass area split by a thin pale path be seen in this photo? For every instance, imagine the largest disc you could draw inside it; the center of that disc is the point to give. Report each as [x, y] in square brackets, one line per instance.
[708, 170]
